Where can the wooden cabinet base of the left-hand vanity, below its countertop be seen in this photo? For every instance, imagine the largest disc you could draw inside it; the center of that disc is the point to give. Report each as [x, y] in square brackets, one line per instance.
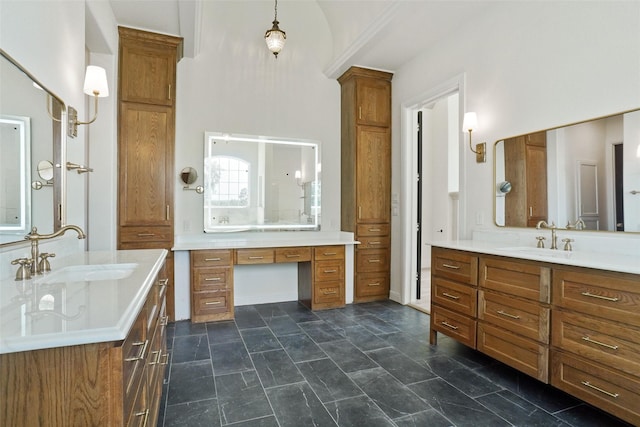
[102, 384]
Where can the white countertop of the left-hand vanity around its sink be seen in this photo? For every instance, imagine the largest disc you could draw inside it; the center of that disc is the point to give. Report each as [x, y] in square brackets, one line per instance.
[65, 311]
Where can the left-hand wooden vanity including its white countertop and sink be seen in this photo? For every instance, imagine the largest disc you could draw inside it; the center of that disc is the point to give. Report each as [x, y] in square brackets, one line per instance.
[85, 344]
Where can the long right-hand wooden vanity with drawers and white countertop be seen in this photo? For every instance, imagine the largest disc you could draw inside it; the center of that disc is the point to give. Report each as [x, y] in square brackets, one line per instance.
[569, 319]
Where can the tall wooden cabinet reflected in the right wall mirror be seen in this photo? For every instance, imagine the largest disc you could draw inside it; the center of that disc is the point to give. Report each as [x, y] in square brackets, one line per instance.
[526, 169]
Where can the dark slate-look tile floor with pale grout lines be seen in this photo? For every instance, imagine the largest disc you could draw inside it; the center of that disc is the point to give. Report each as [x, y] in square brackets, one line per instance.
[362, 365]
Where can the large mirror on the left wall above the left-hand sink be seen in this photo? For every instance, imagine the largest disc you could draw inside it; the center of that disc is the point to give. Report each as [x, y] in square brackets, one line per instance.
[31, 132]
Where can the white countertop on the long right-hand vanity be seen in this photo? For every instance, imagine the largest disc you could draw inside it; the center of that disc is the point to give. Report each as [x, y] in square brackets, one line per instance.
[625, 263]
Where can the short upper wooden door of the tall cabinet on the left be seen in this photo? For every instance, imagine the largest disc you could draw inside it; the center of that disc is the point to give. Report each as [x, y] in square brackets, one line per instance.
[148, 74]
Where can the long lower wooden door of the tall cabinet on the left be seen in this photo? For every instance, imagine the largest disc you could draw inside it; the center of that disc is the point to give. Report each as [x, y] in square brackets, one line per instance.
[146, 165]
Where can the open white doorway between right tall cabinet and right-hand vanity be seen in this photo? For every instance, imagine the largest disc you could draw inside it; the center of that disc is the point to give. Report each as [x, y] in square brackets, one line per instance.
[437, 165]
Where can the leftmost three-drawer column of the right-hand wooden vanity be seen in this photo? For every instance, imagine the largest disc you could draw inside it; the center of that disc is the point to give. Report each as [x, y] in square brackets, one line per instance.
[454, 295]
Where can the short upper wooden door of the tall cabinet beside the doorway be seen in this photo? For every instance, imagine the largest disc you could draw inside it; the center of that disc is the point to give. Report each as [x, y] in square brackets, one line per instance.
[374, 102]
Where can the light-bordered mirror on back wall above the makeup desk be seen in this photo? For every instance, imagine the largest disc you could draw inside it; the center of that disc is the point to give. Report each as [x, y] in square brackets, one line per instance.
[260, 183]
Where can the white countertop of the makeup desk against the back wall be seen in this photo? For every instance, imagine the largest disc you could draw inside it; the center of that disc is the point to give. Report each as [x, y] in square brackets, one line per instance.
[239, 240]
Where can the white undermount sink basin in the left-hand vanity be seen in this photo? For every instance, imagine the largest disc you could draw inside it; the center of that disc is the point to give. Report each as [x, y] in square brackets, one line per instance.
[89, 273]
